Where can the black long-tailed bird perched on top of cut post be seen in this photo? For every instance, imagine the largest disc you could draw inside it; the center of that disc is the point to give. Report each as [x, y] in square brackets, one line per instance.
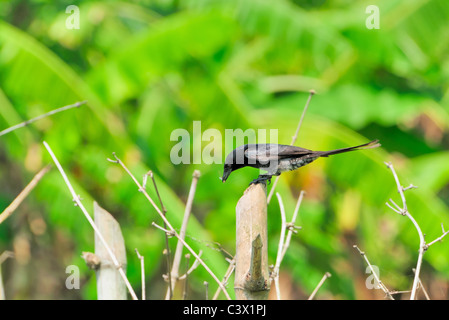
[278, 158]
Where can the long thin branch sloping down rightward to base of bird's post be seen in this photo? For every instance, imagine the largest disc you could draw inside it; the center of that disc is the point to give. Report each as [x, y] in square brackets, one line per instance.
[170, 227]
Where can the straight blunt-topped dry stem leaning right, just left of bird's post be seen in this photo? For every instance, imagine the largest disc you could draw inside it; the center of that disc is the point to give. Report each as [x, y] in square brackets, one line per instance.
[182, 234]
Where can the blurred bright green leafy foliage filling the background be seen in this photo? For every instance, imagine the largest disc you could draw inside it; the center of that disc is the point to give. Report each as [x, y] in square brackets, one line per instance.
[148, 67]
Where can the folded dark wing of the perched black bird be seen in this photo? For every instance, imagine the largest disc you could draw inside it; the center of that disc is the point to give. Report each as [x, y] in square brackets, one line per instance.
[270, 152]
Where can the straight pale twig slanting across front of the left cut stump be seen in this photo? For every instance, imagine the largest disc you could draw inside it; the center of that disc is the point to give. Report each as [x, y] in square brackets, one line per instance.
[90, 220]
